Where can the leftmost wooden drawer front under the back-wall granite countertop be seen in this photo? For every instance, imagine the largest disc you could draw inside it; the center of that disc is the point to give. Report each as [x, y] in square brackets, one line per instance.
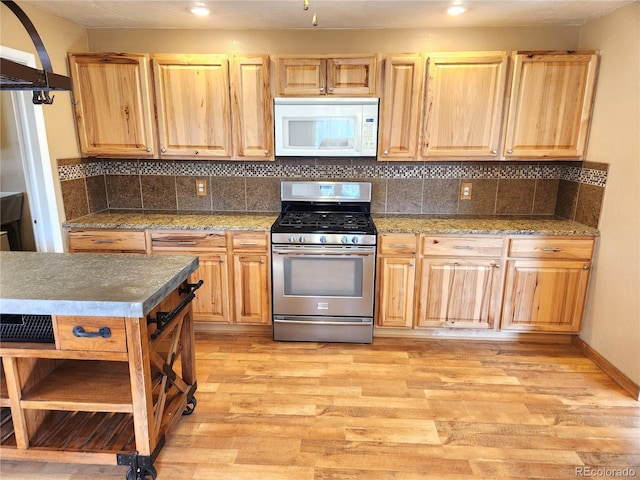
[108, 240]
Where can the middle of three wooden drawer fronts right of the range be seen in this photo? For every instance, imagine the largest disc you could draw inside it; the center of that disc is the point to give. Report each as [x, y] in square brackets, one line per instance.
[461, 246]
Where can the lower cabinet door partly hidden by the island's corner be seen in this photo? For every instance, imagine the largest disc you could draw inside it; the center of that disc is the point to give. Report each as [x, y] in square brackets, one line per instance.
[211, 303]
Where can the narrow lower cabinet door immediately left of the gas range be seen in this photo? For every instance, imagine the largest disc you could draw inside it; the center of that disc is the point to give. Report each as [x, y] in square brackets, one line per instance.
[251, 288]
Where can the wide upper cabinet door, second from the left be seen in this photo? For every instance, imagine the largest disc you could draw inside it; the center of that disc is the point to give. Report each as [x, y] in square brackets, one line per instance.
[193, 107]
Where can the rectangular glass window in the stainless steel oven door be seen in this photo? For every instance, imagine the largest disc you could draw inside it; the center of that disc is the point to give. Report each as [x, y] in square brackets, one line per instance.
[323, 277]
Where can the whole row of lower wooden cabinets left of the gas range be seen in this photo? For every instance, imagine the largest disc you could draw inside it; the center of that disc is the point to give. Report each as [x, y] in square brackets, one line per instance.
[234, 265]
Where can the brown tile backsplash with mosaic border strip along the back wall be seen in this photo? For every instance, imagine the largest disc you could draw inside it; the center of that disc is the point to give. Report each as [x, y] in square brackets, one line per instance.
[571, 190]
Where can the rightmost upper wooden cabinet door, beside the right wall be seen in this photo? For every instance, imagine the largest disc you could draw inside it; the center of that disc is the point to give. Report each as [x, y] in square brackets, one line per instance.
[550, 106]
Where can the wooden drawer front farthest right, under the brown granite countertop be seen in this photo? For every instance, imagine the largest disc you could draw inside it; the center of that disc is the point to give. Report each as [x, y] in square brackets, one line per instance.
[567, 248]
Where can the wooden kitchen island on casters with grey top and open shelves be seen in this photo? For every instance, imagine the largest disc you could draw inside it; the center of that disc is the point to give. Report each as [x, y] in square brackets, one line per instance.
[118, 368]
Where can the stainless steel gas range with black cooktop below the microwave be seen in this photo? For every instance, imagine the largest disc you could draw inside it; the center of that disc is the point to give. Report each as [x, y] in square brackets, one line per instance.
[323, 248]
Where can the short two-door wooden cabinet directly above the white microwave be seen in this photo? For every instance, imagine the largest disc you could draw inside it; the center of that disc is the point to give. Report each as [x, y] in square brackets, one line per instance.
[321, 75]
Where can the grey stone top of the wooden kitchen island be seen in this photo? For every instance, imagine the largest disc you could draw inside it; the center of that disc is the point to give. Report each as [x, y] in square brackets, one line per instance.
[86, 284]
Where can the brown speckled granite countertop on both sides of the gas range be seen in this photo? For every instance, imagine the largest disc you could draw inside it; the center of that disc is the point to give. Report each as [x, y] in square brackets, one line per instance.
[386, 223]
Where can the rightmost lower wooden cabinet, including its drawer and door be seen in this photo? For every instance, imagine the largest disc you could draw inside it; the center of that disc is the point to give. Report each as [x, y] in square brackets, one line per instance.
[546, 284]
